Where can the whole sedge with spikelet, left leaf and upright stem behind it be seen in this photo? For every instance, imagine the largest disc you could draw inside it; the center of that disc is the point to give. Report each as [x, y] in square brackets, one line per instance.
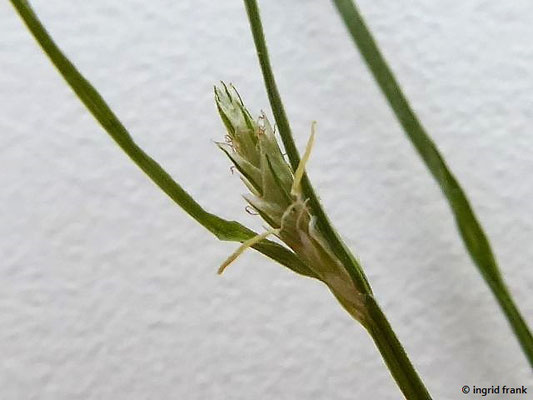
[280, 192]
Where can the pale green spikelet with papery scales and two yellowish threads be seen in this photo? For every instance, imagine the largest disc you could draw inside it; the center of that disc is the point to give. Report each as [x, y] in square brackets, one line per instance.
[276, 195]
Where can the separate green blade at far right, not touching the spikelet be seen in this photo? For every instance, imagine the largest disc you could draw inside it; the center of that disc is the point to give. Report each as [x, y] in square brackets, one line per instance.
[471, 231]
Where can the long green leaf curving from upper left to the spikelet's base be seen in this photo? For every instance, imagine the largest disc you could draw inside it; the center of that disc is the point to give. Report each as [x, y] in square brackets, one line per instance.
[221, 228]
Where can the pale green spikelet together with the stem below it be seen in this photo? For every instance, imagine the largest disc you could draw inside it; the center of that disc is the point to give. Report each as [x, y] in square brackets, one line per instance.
[277, 195]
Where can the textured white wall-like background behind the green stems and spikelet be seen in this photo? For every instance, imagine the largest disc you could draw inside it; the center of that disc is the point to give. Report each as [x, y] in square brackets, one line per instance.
[108, 290]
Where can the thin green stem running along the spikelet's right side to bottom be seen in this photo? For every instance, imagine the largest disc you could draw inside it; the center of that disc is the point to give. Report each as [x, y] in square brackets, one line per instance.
[377, 325]
